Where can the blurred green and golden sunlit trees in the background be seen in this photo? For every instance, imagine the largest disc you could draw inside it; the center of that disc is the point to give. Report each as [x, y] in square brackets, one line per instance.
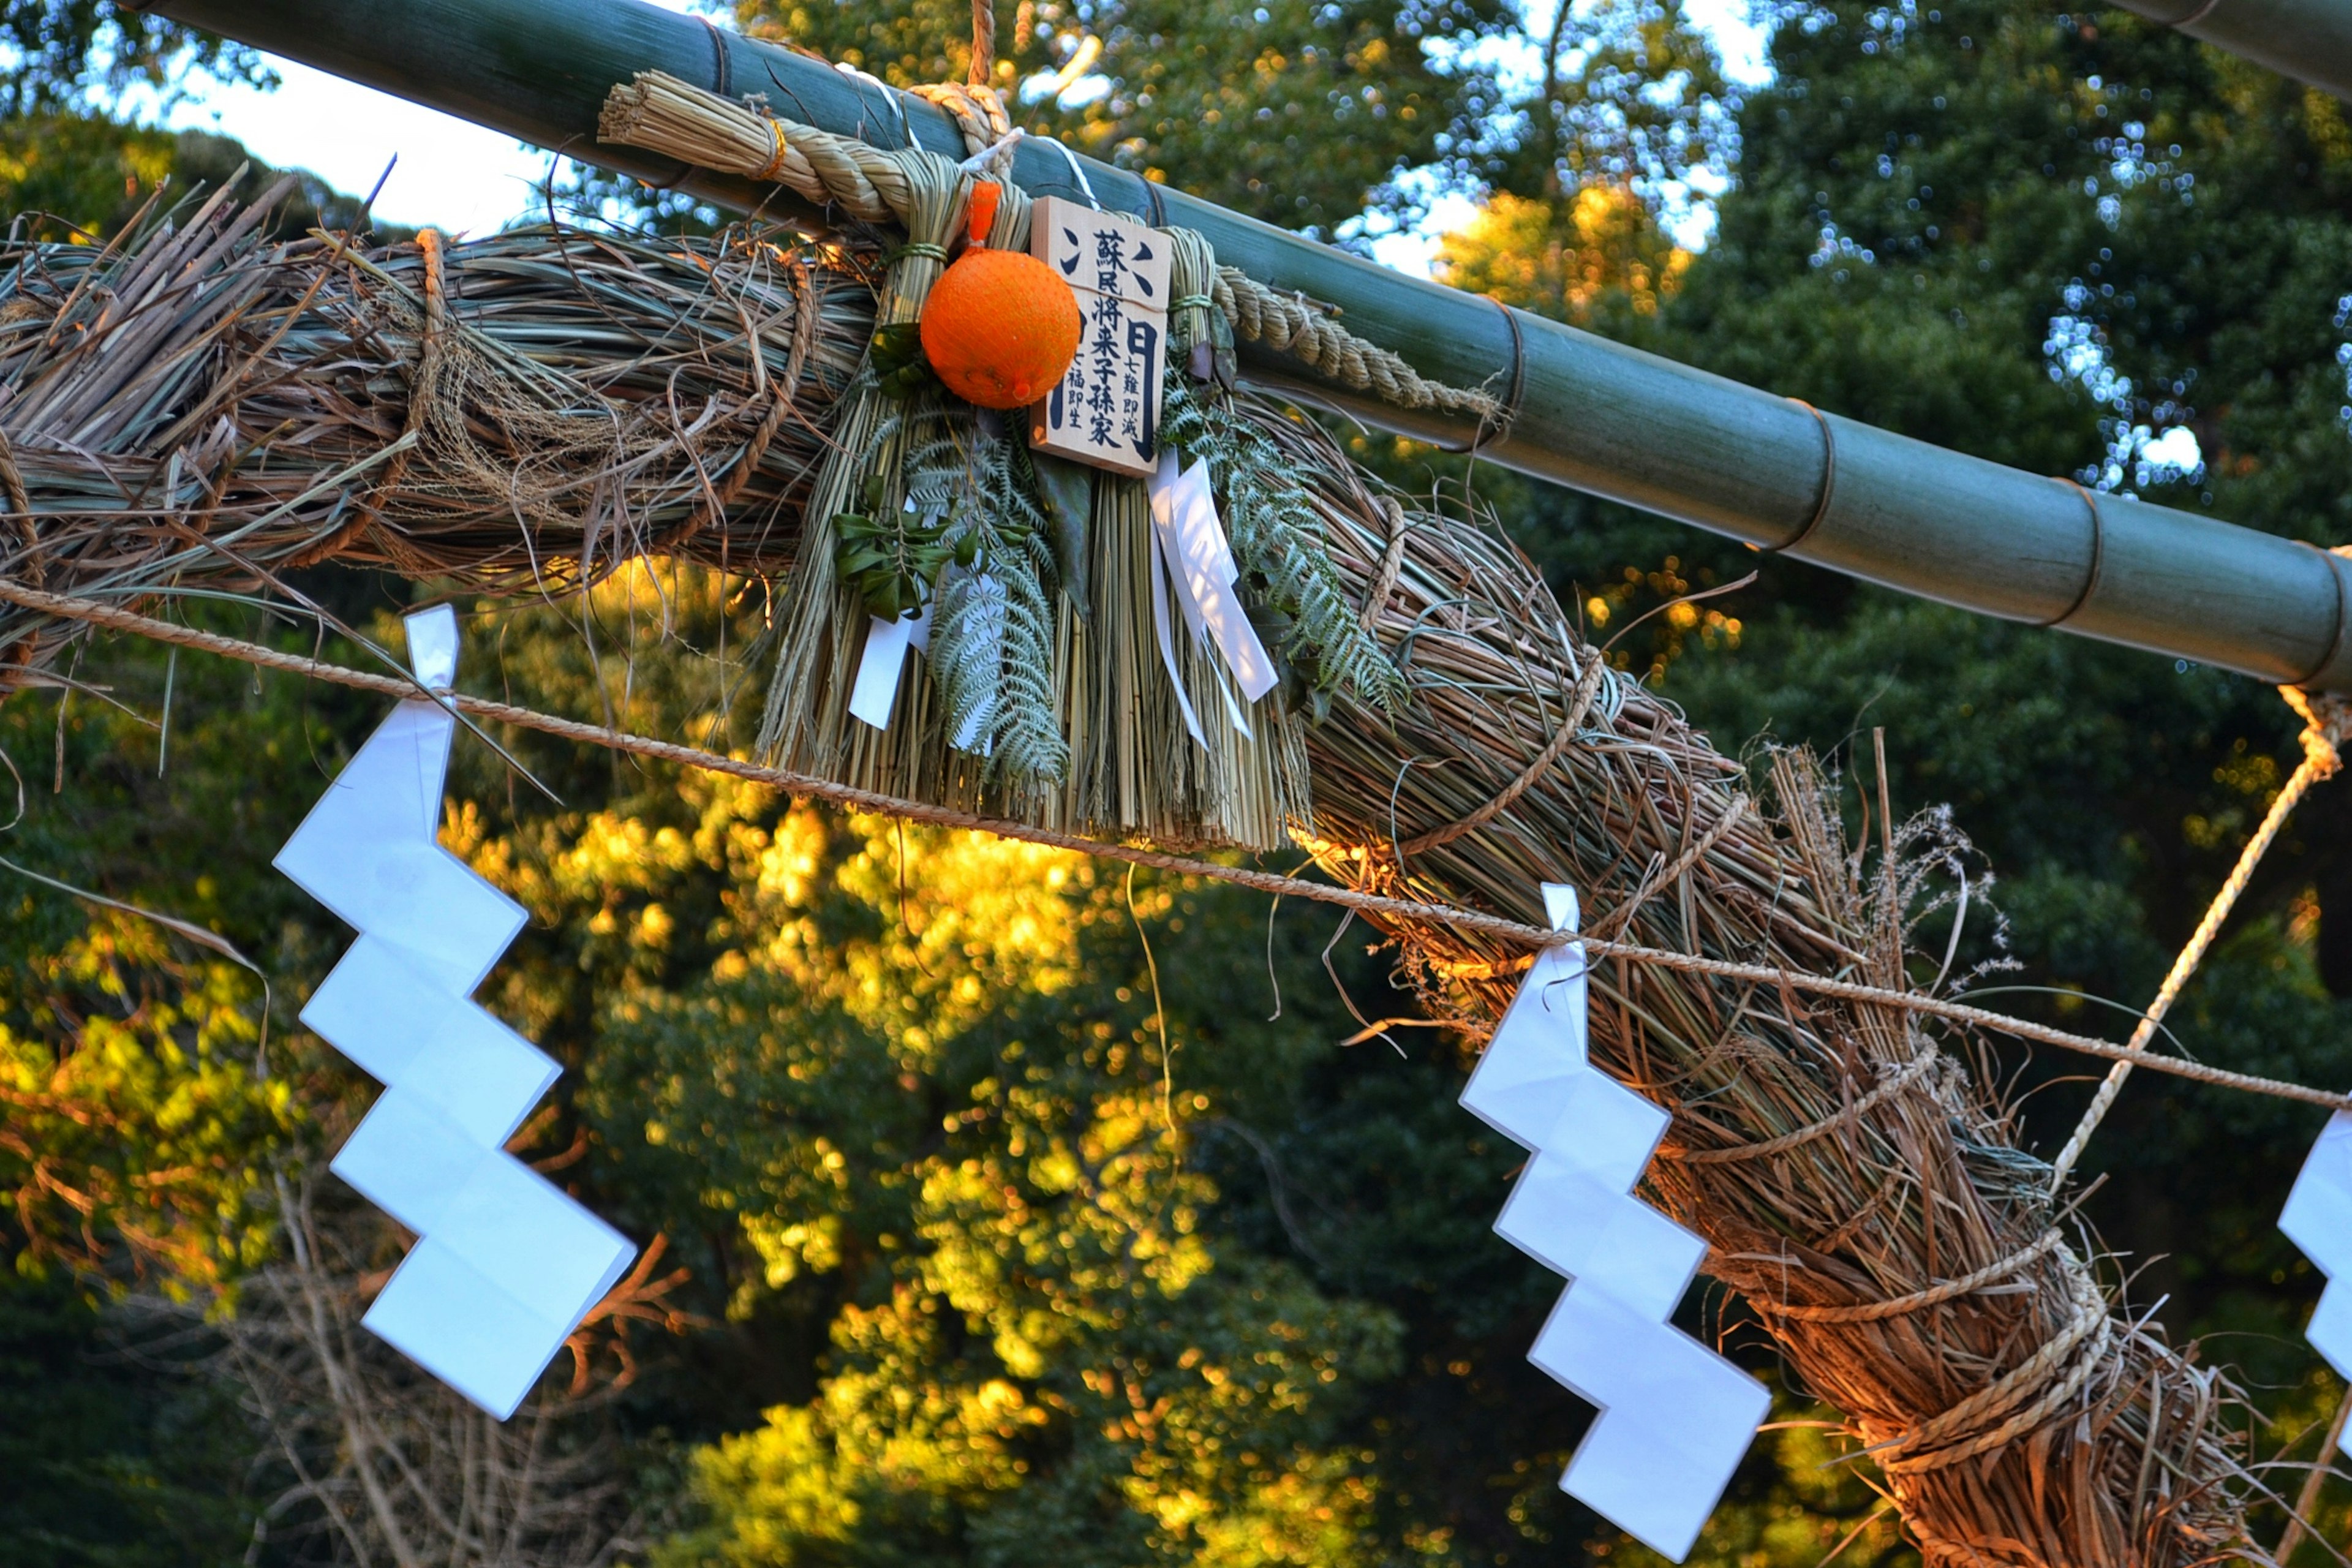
[1017, 1212]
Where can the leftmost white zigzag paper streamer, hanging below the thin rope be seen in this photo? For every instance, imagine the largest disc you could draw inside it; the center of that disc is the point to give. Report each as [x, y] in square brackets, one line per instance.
[507, 1266]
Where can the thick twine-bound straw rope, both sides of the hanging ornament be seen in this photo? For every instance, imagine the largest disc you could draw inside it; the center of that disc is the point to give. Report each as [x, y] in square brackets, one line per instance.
[1855, 1181]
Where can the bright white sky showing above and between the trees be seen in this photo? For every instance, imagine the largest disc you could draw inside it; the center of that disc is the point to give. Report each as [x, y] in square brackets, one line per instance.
[467, 180]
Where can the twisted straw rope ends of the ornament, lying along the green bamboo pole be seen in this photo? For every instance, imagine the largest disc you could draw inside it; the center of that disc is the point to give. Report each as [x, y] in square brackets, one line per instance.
[662, 114]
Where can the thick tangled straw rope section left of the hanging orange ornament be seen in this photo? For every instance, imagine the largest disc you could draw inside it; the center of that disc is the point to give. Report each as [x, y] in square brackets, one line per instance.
[199, 408]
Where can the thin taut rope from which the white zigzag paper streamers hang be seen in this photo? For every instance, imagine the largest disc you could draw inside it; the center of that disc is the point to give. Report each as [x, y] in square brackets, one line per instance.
[1184, 866]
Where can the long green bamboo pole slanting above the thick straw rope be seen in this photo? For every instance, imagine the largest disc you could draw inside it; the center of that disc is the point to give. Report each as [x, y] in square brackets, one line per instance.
[1591, 415]
